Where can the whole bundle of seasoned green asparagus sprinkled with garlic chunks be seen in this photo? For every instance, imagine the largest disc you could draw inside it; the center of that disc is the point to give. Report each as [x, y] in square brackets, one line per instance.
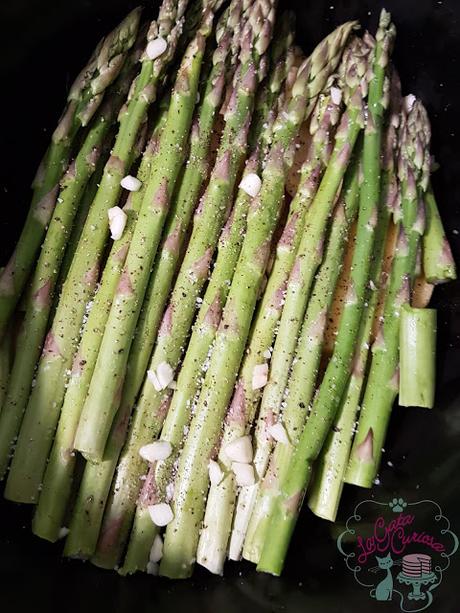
[176, 342]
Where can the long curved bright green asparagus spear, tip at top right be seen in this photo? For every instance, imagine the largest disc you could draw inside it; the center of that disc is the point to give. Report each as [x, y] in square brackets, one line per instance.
[281, 521]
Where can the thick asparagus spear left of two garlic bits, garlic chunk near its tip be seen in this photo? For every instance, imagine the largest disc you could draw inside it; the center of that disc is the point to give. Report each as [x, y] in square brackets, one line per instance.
[46, 399]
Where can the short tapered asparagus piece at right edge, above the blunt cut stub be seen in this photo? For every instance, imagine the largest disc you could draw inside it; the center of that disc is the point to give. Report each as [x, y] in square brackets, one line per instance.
[438, 262]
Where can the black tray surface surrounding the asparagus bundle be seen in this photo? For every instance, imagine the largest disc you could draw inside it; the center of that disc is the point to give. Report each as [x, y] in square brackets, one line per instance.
[42, 47]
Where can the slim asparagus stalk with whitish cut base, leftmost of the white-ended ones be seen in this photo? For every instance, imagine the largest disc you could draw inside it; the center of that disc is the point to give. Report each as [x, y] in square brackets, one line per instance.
[221, 498]
